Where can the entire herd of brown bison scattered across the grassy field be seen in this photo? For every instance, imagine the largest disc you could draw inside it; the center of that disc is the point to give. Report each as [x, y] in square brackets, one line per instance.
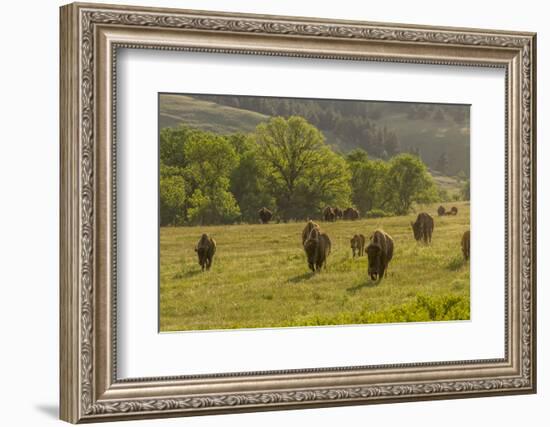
[317, 244]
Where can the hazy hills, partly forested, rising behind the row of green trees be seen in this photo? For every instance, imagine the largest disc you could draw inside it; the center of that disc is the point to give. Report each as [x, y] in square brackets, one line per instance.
[383, 129]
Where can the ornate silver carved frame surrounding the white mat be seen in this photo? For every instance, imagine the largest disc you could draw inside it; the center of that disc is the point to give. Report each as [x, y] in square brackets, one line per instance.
[90, 36]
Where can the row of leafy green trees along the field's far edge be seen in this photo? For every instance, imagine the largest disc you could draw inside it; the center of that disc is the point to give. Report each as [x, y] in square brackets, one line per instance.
[284, 165]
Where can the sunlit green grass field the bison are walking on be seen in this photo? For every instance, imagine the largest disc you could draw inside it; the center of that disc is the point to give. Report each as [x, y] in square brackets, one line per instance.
[260, 277]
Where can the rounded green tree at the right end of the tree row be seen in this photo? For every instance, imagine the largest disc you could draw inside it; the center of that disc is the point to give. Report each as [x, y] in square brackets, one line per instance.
[408, 181]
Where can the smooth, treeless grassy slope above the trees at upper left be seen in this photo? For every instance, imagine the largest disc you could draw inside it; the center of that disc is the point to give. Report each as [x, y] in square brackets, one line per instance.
[206, 115]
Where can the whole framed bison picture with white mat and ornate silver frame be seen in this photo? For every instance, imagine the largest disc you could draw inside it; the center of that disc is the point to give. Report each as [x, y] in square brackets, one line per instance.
[265, 212]
